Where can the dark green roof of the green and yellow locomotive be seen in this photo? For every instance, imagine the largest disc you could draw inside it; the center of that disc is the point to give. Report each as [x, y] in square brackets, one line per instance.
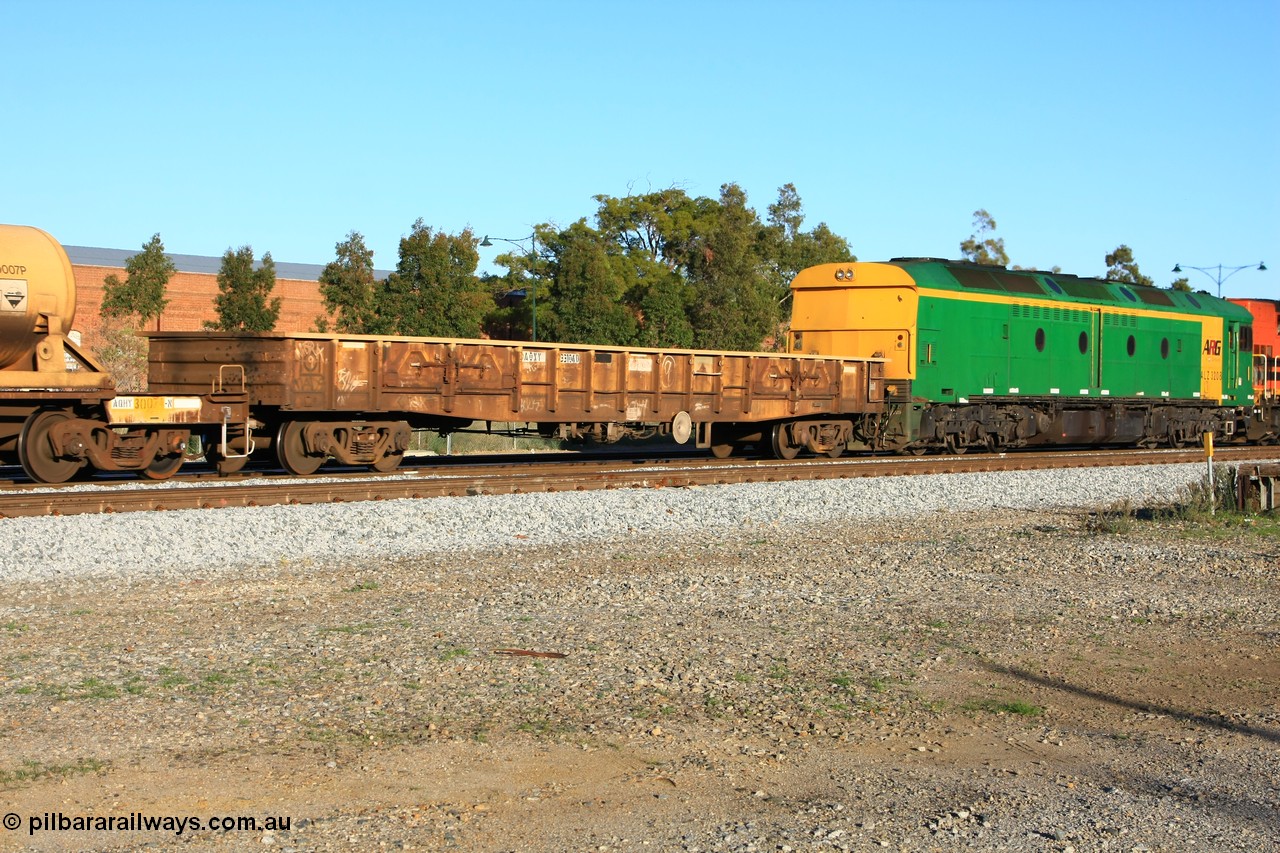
[970, 277]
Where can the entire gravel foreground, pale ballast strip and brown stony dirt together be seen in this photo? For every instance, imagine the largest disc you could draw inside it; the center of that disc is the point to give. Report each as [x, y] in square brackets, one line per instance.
[908, 664]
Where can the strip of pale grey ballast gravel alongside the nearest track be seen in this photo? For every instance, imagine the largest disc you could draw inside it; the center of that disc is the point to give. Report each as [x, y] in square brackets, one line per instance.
[144, 544]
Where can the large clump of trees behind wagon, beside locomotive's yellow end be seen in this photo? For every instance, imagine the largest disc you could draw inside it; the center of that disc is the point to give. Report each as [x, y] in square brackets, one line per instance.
[664, 270]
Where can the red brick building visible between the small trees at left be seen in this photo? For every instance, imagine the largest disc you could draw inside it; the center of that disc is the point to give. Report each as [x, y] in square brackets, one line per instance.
[191, 293]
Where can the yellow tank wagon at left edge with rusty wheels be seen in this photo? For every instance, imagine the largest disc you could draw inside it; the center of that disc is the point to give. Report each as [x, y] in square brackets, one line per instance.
[60, 410]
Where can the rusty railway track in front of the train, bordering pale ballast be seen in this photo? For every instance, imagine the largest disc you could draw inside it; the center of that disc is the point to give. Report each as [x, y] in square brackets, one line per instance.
[427, 481]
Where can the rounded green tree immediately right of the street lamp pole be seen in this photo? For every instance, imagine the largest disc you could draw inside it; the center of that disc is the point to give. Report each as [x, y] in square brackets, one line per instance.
[588, 291]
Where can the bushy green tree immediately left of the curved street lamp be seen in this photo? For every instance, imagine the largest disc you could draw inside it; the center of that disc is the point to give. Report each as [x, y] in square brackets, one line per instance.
[435, 290]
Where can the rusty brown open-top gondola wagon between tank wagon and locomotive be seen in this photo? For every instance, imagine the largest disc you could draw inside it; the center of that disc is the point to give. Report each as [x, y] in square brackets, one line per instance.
[356, 399]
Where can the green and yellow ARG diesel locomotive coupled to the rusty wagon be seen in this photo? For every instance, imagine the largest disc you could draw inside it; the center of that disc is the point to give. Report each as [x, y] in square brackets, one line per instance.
[986, 358]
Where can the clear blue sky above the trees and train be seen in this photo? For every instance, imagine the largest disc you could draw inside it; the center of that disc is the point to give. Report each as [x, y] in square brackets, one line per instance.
[285, 126]
